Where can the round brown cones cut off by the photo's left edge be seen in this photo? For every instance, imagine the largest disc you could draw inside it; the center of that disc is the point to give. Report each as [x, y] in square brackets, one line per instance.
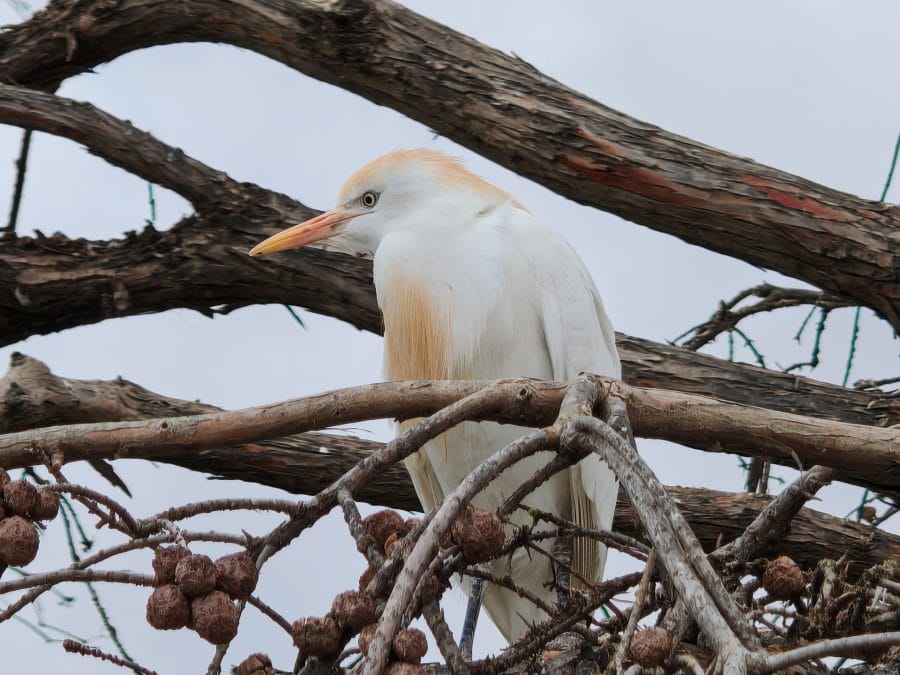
[21, 505]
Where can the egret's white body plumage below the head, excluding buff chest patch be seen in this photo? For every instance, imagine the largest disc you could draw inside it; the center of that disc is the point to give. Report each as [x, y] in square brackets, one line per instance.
[515, 300]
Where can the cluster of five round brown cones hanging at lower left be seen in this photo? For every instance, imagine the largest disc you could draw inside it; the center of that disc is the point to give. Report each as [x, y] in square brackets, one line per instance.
[192, 590]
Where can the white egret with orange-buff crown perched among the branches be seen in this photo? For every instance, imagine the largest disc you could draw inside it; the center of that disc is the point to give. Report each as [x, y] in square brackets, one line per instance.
[473, 287]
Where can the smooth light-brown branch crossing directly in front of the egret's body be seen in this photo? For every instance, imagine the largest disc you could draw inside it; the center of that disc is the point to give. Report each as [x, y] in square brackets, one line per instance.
[864, 455]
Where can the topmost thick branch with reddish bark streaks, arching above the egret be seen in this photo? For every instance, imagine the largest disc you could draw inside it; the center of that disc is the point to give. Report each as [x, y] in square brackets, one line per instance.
[506, 110]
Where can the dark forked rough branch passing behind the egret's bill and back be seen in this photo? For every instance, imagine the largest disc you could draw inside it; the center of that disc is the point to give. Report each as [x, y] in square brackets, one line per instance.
[50, 284]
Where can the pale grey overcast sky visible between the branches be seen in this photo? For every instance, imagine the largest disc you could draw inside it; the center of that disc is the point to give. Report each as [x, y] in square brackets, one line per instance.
[808, 87]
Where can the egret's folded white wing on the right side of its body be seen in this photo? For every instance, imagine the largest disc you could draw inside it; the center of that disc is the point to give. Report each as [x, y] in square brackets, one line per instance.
[580, 338]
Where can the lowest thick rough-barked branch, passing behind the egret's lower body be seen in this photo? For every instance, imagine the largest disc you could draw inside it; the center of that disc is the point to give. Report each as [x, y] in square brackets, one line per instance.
[31, 396]
